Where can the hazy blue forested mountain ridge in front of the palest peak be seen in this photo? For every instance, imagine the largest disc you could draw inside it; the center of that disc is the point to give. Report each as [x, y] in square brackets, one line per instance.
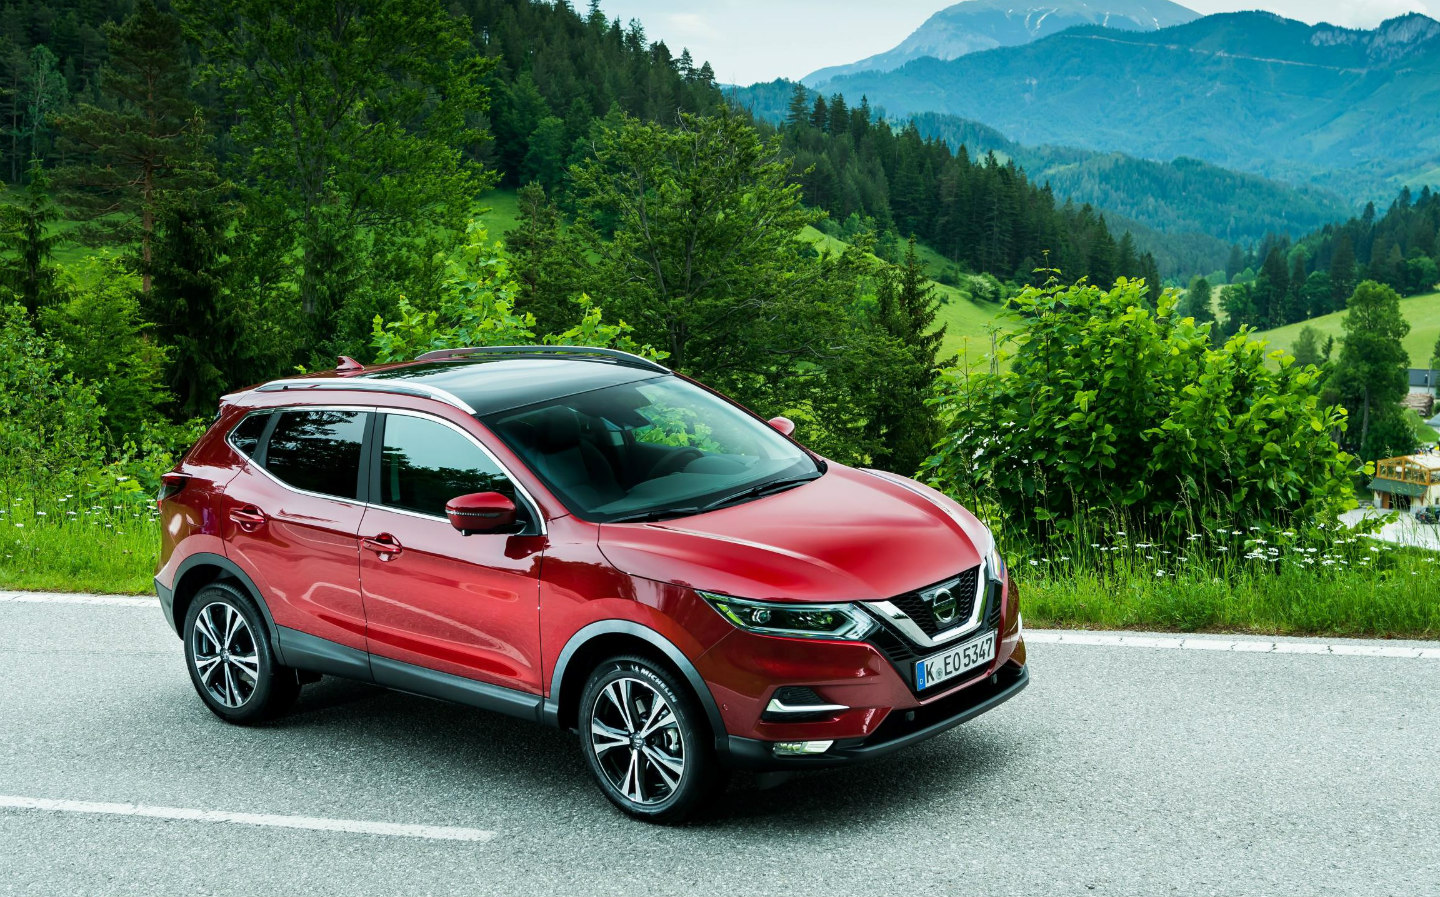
[1248, 91]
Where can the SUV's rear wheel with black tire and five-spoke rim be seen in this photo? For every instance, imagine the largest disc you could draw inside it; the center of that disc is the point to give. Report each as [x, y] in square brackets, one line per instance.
[228, 654]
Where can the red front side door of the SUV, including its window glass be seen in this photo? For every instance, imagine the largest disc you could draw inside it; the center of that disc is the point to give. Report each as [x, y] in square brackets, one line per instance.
[464, 605]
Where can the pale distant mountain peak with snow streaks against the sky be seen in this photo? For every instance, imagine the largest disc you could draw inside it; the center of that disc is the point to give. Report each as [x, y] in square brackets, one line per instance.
[984, 25]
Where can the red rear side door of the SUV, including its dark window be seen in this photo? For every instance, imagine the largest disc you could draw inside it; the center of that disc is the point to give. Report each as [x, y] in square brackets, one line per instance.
[292, 518]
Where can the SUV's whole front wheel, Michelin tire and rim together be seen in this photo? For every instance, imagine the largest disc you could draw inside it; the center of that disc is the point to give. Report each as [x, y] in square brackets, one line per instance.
[652, 765]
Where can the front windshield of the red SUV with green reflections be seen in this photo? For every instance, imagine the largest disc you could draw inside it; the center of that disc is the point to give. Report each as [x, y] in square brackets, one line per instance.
[650, 450]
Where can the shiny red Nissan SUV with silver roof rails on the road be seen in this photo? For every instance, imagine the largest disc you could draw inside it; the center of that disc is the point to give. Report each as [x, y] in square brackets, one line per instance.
[585, 539]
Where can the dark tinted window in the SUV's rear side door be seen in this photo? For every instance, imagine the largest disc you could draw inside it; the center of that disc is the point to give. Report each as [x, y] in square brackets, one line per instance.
[318, 451]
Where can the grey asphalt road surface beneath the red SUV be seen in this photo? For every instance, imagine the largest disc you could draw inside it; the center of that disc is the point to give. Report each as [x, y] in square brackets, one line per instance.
[1120, 771]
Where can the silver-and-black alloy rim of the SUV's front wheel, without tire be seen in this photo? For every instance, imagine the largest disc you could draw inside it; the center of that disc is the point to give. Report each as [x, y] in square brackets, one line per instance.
[637, 741]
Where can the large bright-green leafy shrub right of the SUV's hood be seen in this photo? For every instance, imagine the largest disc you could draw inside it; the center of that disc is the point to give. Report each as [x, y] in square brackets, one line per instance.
[1118, 410]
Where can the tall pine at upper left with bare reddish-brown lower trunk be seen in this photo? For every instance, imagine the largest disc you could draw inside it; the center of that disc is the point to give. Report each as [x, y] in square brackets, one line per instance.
[143, 142]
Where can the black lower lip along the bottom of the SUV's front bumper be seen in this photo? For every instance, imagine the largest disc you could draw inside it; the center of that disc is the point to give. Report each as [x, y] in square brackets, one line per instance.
[898, 732]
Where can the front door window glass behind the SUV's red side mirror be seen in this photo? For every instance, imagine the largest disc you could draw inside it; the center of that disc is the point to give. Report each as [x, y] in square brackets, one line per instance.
[426, 464]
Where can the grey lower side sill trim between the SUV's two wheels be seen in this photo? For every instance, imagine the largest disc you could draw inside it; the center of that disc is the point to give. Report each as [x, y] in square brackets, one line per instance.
[316, 654]
